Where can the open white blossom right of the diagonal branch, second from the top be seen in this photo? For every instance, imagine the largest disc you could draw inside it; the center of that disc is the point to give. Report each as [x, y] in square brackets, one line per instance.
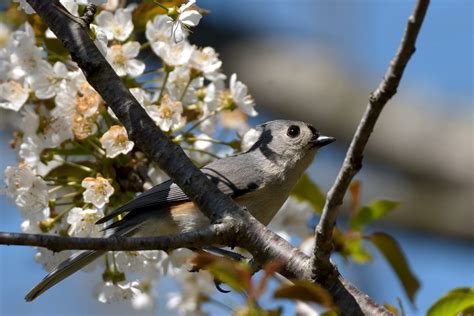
[121, 57]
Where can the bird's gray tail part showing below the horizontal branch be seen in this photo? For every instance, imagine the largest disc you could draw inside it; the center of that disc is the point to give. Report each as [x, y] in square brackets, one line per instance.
[62, 271]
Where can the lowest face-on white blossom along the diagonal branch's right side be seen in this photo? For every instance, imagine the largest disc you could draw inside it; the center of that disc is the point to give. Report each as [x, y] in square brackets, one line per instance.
[168, 115]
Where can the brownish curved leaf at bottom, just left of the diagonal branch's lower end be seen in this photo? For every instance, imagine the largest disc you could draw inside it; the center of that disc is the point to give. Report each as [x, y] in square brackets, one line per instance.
[304, 291]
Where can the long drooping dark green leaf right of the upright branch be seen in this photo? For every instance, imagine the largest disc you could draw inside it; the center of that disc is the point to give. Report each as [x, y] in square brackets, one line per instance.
[396, 258]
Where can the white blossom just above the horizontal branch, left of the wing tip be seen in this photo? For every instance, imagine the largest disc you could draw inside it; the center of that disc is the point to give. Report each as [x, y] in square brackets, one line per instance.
[82, 222]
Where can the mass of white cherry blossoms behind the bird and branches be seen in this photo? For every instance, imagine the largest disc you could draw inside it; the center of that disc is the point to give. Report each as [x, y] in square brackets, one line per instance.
[76, 160]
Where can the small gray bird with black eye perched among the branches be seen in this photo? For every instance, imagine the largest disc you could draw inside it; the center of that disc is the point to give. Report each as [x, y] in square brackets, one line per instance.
[260, 179]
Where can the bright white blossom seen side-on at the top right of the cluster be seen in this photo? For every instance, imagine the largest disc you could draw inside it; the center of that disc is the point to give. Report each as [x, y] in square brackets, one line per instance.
[184, 20]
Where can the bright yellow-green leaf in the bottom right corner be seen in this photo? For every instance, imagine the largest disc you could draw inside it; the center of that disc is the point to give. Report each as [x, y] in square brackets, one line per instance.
[453, 303]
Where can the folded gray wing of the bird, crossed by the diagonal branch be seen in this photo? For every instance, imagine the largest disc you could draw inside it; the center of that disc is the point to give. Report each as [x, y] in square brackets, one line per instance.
[225, 173]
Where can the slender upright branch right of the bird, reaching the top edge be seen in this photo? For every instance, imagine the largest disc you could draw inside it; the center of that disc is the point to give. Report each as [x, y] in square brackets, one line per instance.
[353, 161]
